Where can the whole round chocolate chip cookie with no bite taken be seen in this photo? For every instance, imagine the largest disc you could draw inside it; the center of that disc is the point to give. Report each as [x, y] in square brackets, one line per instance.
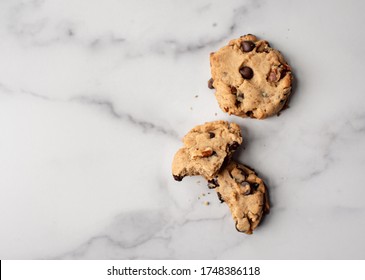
[251, 78]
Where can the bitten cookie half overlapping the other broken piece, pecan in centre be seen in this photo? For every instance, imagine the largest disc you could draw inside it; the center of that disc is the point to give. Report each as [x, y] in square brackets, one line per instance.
[206, 148]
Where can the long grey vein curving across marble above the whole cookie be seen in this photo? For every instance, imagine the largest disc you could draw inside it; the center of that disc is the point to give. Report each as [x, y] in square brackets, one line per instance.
[38, 33]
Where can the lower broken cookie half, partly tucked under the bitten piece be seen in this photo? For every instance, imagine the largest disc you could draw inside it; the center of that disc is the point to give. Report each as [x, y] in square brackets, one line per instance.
[244, 193]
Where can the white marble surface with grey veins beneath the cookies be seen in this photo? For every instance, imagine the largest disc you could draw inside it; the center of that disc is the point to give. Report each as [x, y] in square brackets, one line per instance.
[96, 95]
